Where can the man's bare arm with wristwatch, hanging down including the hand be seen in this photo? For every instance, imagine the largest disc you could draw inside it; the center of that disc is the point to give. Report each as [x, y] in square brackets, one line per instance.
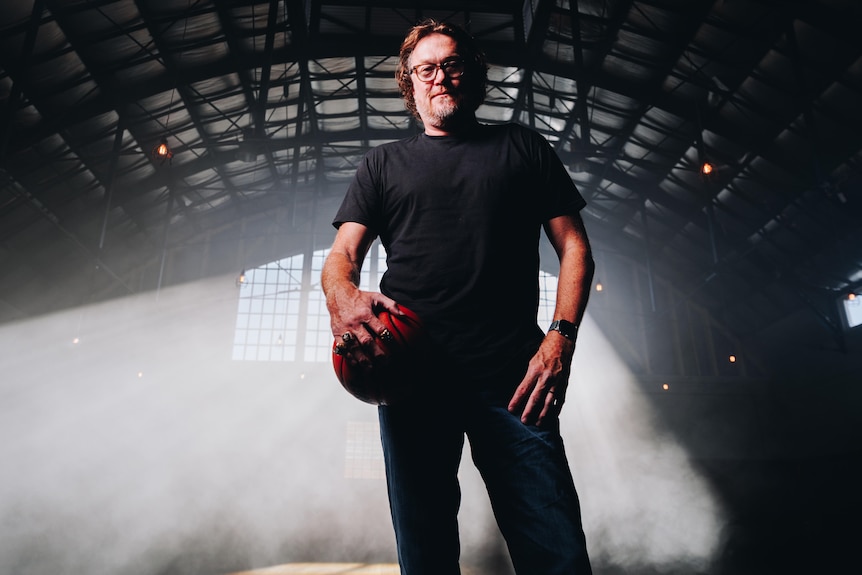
[543, 390]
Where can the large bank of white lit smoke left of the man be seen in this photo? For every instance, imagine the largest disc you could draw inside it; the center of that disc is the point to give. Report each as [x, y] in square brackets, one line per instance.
[141, 449]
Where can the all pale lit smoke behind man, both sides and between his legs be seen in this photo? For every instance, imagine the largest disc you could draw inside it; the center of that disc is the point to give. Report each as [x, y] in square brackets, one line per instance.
[142, 449]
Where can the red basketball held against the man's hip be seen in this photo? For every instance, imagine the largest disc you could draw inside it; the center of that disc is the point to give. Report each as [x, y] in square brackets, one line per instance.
[388, 381]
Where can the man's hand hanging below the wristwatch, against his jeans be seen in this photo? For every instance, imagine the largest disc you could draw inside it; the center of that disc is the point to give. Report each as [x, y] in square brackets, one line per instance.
[542, 392]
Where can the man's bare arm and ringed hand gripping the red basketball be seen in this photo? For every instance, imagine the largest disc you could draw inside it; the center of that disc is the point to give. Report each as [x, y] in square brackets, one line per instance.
[351, 310]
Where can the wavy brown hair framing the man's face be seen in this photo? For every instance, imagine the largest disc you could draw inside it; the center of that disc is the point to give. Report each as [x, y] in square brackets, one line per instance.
[476, 71]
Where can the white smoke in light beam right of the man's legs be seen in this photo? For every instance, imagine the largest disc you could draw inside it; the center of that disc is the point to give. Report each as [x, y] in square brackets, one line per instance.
[643, 503]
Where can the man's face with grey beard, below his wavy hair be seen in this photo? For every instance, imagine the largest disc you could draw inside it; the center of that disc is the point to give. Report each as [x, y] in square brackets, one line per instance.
[439, 100]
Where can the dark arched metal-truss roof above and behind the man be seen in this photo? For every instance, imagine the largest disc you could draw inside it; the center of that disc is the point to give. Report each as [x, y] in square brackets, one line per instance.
[268, 106]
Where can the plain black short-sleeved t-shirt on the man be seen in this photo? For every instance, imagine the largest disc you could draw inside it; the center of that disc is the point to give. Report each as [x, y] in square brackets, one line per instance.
[460, 218]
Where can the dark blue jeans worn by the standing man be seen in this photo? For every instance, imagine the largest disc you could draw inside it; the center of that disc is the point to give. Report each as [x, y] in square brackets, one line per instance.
[524, 468]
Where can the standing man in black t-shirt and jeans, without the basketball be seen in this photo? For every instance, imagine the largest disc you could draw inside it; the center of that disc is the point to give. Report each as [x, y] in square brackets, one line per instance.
[459, 209]
